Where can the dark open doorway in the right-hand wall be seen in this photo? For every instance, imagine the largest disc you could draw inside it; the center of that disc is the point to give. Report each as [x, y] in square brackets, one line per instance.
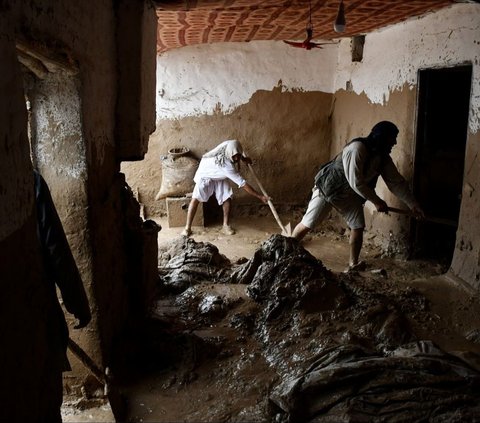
[442, 122]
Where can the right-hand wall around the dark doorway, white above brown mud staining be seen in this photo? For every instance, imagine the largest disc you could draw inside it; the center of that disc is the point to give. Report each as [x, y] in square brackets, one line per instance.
[385, 83]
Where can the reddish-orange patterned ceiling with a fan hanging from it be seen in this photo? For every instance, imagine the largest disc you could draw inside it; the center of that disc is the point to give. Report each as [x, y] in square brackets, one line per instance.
[188, 22]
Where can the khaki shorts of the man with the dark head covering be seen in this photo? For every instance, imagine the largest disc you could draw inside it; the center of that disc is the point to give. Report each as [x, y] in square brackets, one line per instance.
[318, 209]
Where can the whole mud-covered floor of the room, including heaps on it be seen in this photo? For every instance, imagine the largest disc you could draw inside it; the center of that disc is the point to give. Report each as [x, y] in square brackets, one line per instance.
[266, 349]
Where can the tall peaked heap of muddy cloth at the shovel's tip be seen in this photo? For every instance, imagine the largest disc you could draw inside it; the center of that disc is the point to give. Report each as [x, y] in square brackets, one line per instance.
[283, 275]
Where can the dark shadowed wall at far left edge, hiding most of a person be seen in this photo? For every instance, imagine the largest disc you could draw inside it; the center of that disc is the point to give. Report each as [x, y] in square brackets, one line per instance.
[23, 296]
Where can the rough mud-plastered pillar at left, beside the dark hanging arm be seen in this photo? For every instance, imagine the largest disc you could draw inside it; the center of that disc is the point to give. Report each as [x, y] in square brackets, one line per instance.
[85, 156]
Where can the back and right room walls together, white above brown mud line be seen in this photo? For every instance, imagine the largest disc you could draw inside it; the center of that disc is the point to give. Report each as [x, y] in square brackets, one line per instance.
[209, 93]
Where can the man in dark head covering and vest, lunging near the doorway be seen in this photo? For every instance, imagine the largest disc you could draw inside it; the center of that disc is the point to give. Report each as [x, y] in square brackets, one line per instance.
[348, 181]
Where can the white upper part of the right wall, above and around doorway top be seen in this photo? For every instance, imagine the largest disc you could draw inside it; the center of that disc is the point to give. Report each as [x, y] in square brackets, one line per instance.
[393, 56]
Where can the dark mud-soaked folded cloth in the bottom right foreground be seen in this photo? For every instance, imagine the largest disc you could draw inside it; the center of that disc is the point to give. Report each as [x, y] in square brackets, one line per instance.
[416, 382]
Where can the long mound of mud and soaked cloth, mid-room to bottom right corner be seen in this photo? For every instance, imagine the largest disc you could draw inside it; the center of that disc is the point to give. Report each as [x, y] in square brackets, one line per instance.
[340, 347]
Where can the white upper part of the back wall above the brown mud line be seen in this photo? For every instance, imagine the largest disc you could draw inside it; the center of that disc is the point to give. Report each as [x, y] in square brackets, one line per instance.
[217, 78]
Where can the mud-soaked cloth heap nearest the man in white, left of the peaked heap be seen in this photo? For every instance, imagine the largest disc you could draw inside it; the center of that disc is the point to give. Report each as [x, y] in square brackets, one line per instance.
[187, 263]
